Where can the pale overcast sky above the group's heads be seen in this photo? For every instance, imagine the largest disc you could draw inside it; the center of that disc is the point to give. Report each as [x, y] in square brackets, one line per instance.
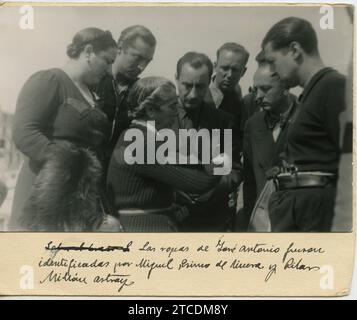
[177, 29]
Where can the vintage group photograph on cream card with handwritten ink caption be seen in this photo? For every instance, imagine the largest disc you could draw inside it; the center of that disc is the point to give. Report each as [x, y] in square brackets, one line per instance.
[204, 125]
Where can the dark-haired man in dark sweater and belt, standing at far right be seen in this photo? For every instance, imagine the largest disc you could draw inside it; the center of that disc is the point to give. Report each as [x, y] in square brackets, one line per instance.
[307, 189]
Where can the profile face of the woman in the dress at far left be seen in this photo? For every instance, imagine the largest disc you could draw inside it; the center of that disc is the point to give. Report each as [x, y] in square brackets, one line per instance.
[99, 64]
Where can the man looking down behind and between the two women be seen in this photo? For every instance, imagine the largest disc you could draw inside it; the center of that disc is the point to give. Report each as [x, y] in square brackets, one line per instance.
[136, 48]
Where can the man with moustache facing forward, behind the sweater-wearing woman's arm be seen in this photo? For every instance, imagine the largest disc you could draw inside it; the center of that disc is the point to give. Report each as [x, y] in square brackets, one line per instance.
[194, 71]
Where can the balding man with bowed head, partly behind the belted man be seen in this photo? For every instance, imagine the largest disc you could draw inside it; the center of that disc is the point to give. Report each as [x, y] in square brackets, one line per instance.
[263, 137]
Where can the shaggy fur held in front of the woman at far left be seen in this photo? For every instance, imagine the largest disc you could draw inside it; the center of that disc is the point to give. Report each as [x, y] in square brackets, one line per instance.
[66, 193]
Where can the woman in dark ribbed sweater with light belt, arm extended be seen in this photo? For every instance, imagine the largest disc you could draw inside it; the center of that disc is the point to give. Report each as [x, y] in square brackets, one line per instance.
[143, 193]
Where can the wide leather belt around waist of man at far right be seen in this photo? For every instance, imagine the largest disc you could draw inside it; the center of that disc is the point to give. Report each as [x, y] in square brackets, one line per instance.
[304, 180]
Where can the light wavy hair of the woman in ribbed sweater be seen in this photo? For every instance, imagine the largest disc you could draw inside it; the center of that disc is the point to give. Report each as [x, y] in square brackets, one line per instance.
[149, 92]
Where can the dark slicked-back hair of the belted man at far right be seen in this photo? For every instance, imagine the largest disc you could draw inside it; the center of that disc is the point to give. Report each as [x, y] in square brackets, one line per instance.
[289, 30]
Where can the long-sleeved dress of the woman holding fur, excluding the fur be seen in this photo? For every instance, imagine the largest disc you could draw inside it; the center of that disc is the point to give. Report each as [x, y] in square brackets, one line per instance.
[50, 108]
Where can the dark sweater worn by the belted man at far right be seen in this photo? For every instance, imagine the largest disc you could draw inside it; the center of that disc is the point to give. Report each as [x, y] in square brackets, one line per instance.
[313, 136]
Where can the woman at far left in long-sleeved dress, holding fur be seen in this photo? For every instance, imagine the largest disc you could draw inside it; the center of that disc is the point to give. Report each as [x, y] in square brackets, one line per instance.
[60, 130]
